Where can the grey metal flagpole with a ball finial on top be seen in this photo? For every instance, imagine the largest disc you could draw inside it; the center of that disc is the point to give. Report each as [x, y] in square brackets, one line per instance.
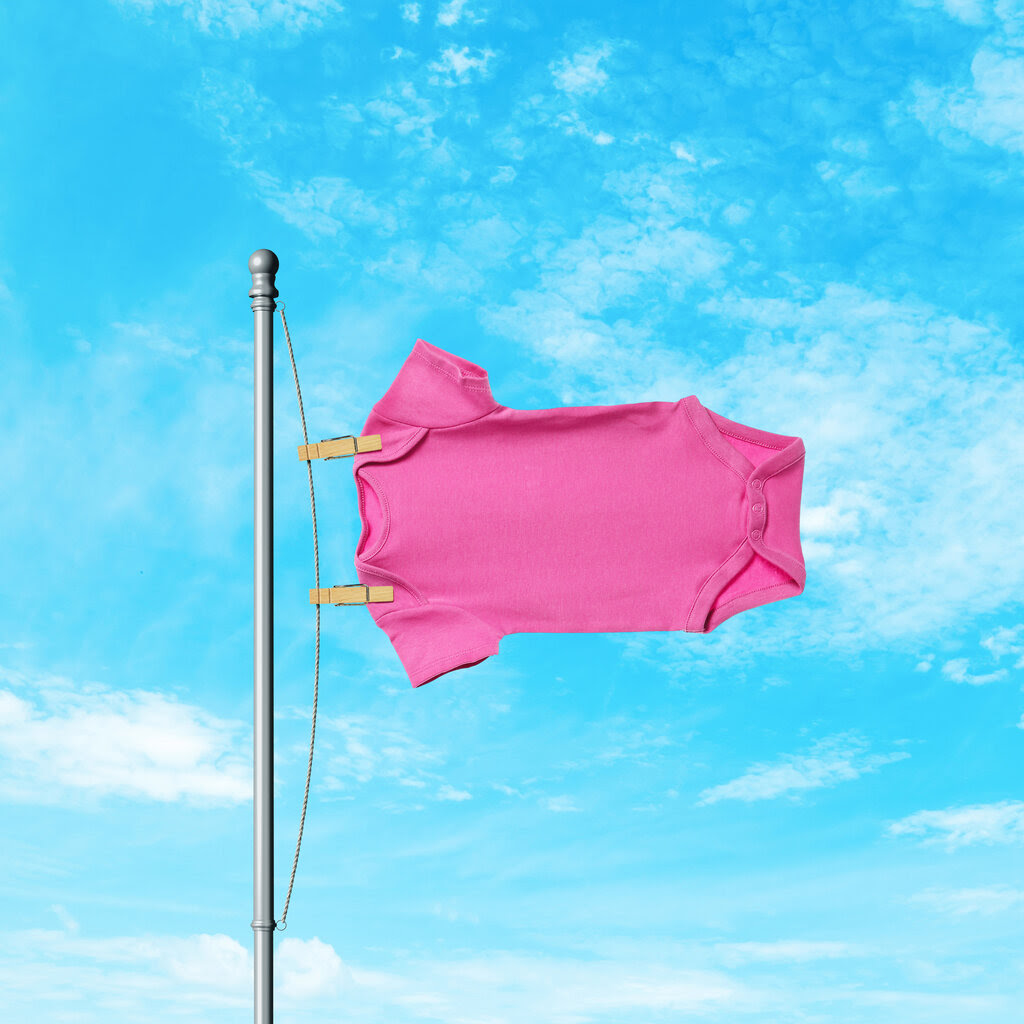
[264, 266]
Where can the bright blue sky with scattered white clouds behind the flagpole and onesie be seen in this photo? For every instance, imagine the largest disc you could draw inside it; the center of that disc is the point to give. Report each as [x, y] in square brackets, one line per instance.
[807, 216]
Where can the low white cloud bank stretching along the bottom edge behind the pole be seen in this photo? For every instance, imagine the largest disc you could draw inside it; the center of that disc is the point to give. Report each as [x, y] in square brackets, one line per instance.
[146, 976]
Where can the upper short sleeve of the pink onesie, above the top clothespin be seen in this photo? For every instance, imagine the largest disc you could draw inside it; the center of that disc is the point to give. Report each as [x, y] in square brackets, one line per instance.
[437, 389]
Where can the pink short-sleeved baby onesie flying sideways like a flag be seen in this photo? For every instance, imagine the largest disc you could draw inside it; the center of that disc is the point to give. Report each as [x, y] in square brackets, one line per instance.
[490, 521]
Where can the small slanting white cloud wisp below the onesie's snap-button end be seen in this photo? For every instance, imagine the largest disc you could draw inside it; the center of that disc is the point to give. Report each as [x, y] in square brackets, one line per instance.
[833, 760]
